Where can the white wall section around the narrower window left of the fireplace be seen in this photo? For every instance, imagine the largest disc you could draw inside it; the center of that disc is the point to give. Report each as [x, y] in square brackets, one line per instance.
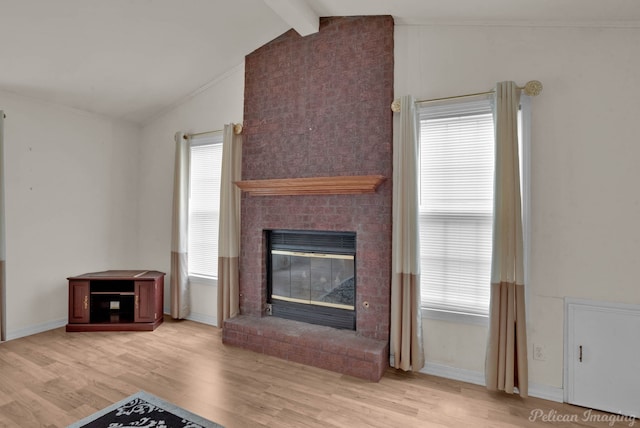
[222, 102]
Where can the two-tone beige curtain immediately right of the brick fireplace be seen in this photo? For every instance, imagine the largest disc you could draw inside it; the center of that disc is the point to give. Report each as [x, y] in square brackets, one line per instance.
[406, 325]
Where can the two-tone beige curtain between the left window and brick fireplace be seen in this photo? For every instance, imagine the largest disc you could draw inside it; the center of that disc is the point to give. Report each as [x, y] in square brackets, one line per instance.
[229, 232]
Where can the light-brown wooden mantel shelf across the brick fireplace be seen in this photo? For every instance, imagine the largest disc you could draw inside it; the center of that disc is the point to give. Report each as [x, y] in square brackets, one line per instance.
[338, 185]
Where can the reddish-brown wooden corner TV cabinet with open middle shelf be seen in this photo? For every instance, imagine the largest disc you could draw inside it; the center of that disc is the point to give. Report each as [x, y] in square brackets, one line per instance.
[116, 300]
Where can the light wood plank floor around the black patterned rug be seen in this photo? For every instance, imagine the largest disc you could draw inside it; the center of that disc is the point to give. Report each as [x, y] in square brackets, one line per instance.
[55, 378]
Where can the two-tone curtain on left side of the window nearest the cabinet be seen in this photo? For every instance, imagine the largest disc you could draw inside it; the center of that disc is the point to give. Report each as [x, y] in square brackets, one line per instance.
[179, 287]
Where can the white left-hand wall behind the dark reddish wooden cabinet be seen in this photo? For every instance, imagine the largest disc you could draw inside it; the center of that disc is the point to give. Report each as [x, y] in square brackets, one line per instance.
[71, 189]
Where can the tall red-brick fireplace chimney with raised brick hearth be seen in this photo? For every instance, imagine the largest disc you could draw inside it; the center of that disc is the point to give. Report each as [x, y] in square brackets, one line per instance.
[318, 106]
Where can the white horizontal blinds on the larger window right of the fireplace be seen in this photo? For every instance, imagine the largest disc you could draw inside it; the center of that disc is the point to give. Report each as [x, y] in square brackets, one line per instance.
[456, 205]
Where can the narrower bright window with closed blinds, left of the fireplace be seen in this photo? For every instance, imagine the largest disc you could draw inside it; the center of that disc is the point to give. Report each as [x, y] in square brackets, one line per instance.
[204, 206]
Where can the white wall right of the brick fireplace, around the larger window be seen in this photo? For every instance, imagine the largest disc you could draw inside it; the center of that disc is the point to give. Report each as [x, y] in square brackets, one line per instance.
[584, 156]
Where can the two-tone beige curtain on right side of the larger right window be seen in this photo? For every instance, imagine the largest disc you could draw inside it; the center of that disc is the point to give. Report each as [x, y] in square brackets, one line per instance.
[506, 358]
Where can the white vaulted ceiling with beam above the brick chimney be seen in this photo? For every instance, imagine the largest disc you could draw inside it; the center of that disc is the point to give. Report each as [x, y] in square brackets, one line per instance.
[133, 59]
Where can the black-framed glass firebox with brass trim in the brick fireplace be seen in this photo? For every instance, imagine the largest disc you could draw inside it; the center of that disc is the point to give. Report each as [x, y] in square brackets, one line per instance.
[311, 277]
